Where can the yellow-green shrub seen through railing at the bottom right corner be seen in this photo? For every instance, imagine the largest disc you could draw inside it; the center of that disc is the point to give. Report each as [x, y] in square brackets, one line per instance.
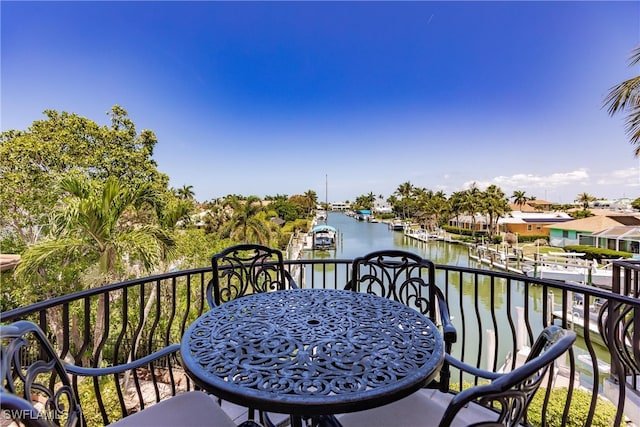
[578, 409]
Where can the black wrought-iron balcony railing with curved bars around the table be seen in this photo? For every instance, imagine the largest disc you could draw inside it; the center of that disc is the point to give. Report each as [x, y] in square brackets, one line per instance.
[497, 315]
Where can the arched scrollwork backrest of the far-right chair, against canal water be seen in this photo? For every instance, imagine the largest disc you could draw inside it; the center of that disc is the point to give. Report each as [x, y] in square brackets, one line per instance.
[398, 275]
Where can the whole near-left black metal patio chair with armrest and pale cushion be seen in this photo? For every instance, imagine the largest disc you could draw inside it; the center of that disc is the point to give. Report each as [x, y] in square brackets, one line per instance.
[37, 389]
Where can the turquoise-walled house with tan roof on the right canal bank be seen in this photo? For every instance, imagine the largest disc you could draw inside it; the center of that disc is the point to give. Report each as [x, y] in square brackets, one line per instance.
[582, 231]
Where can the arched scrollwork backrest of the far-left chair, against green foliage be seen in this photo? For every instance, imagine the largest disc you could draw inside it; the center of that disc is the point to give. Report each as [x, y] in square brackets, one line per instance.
[245, 269]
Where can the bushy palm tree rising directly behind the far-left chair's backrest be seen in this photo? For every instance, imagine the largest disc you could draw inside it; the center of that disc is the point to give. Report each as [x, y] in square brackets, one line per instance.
[246, 225]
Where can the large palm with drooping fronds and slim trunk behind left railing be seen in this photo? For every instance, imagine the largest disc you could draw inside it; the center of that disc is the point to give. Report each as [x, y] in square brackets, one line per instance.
[96, 224]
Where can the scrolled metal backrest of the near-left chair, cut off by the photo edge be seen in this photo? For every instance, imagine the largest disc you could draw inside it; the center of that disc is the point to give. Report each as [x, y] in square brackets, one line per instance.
[35, 386]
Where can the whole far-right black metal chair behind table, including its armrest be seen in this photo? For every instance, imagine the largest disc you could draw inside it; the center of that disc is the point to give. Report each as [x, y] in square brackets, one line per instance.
[410, 279]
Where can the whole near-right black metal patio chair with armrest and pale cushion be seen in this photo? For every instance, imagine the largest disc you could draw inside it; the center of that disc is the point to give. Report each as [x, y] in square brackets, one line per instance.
[503, 400]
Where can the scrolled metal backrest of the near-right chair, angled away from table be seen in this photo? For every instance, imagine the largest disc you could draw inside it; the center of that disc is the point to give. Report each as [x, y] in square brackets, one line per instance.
[514, 391]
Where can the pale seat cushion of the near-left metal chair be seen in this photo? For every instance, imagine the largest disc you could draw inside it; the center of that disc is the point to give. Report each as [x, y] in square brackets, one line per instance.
[191, 409]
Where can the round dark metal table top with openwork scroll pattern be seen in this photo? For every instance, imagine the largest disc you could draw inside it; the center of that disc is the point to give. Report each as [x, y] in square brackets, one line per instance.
[312, 351]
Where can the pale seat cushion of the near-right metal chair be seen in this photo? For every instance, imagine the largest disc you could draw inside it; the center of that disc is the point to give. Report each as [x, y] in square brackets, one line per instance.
[421, 409]
